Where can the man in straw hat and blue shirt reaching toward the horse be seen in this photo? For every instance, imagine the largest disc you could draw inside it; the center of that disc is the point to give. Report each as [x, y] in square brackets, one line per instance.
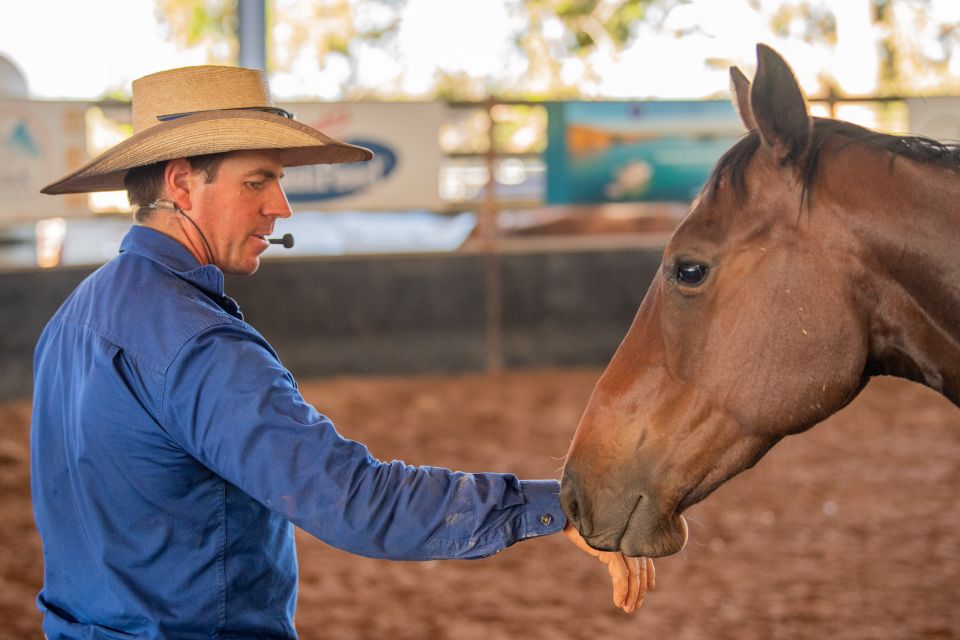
[171, 451]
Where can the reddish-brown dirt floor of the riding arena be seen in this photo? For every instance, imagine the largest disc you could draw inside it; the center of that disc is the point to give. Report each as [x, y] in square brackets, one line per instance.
[851, 530]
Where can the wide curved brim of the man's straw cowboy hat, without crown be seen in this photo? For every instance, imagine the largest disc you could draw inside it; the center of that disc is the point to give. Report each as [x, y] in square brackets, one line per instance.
[204, 133]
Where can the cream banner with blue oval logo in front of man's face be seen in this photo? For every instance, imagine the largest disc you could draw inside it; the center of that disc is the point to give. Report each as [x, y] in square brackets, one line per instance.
[405, 170]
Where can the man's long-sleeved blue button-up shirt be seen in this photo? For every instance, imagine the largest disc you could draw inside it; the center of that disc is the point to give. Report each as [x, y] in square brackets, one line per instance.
[171, 451]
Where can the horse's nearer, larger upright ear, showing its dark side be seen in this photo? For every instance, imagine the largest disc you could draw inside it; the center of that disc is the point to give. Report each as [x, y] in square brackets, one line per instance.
[778, 107]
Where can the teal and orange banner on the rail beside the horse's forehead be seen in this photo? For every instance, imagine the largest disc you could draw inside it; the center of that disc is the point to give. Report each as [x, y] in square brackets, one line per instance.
[635, 151]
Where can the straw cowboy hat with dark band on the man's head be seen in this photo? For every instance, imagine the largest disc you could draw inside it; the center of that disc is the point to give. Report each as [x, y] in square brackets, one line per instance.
[199, 110]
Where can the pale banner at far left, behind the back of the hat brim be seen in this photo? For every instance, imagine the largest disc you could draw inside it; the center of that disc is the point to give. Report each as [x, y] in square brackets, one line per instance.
[39, 143]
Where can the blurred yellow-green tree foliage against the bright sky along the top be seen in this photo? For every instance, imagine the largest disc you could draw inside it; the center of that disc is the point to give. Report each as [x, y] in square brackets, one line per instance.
[564, 43]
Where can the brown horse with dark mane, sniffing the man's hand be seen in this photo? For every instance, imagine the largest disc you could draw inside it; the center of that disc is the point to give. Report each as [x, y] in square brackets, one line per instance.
[818, 254]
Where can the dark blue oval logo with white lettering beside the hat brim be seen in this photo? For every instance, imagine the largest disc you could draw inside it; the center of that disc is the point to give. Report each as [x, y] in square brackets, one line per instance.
[331, 181]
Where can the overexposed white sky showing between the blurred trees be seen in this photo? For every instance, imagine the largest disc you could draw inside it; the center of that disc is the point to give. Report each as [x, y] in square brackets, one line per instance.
[80, 49]
